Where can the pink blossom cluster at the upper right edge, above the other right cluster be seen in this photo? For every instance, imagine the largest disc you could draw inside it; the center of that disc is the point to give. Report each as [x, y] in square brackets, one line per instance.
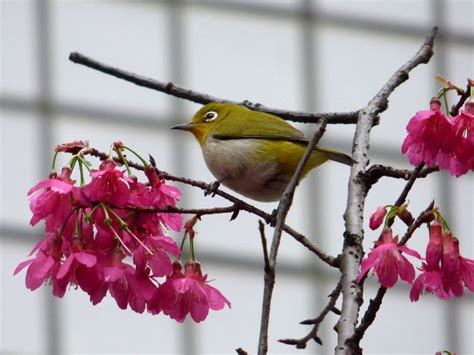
[436, 138]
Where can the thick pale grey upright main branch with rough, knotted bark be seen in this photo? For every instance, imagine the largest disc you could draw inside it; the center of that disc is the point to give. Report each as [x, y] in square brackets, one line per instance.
[353, 236]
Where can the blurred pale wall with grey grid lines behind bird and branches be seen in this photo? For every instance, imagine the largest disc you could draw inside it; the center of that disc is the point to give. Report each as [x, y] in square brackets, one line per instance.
[303, 55]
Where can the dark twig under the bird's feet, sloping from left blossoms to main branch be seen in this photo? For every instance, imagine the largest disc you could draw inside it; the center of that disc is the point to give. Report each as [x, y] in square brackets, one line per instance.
[240, 204]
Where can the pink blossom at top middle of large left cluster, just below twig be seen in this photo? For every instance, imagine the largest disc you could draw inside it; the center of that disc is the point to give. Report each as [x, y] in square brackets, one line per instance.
[108, 185]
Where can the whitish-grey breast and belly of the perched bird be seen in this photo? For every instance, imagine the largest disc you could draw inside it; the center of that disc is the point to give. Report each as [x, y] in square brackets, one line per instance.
[238, 164]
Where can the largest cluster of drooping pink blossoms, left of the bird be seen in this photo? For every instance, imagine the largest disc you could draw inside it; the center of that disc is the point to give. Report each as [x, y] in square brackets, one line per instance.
[109, 236]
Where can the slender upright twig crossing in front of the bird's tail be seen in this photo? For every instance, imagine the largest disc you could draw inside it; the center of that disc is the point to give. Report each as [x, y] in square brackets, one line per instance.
[282, 211]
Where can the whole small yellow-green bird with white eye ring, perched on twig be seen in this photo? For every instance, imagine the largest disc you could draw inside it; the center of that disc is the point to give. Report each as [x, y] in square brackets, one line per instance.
[253, 153]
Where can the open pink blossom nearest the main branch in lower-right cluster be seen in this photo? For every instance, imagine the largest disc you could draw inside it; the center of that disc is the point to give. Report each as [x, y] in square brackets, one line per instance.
[388, 262]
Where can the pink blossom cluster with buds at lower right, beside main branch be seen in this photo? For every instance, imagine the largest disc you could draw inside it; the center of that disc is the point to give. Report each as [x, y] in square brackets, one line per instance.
[444, 271]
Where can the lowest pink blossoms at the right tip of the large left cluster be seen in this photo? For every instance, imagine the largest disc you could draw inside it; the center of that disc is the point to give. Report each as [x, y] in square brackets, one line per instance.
[187, 293]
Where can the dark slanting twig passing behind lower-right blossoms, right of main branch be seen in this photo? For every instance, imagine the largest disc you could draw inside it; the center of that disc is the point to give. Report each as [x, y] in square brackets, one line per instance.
[376, 302]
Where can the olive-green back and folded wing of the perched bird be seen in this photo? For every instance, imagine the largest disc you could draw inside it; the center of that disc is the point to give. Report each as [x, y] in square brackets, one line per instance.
[247, 125]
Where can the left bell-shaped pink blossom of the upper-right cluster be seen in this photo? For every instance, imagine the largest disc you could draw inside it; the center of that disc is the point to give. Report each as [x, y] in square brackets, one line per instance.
[430, 136]
